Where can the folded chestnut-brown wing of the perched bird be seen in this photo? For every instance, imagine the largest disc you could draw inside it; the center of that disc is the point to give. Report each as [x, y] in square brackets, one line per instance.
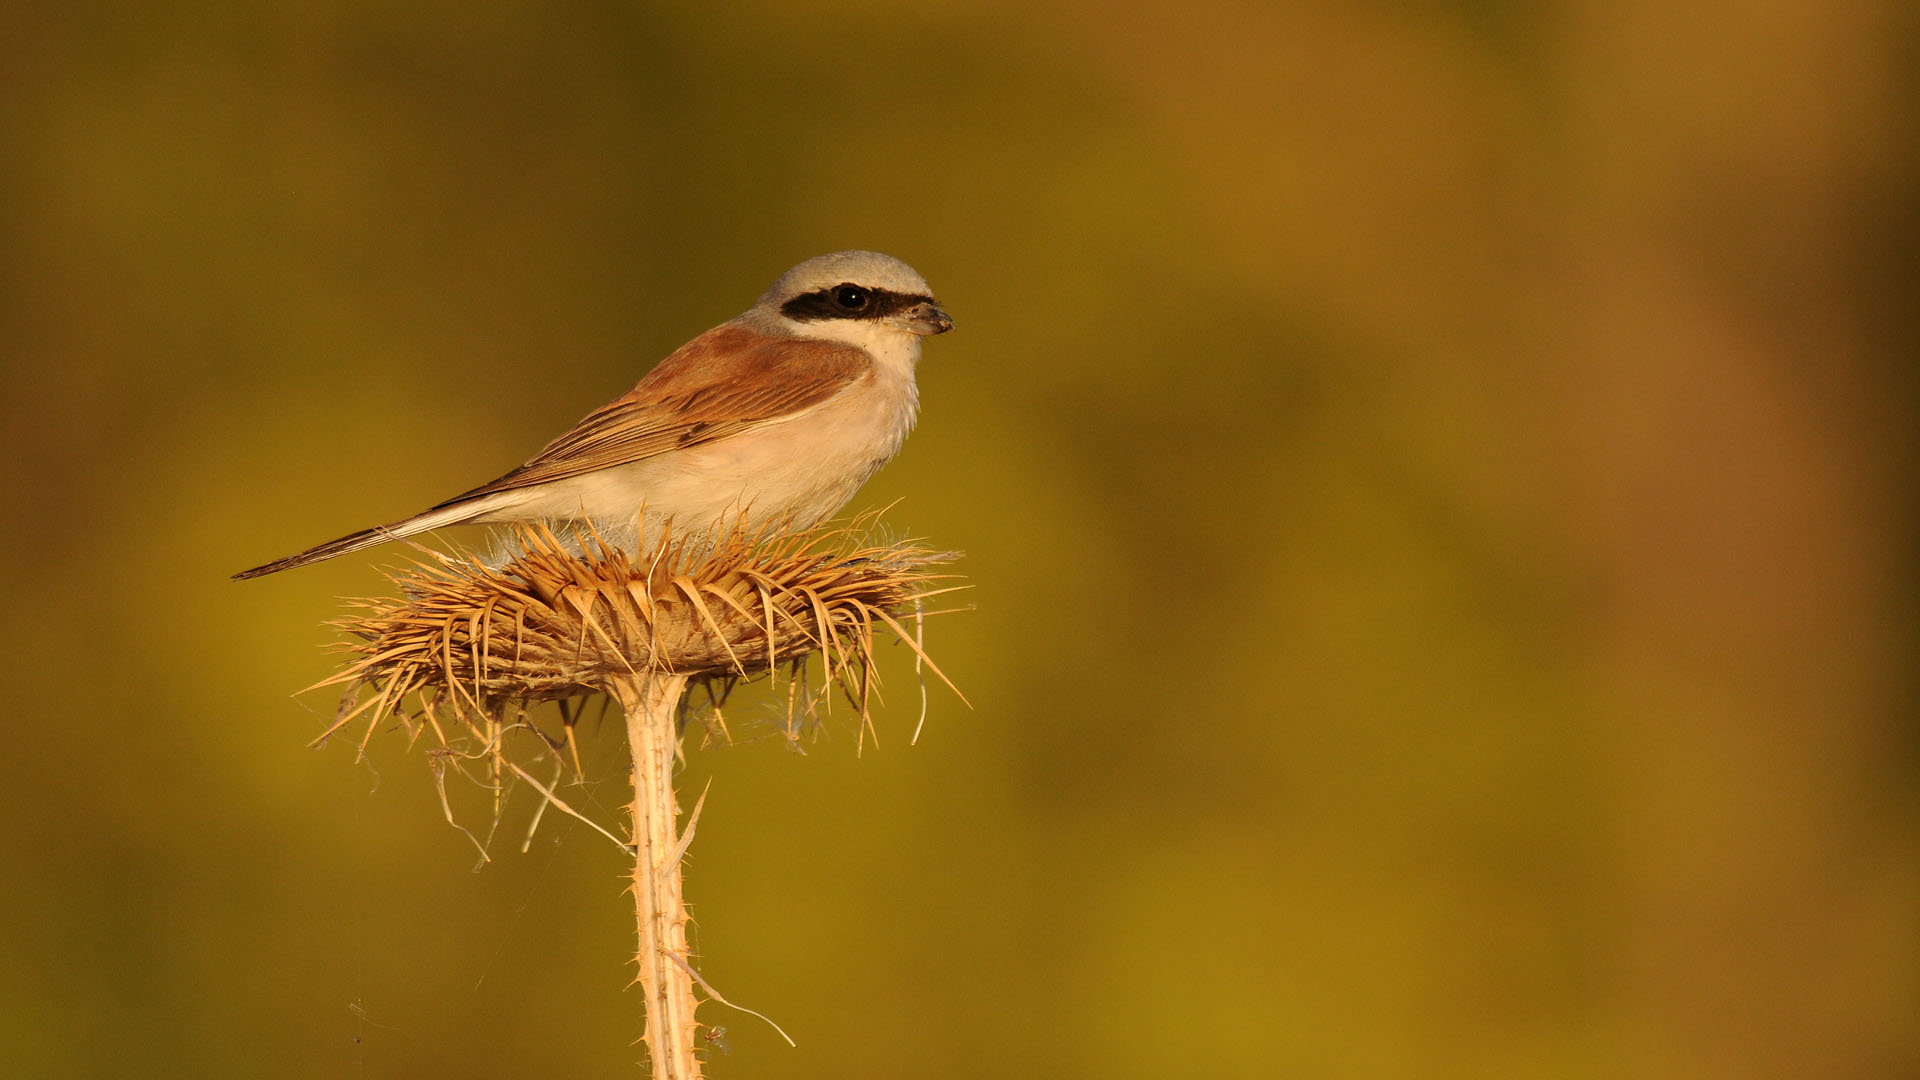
[717, 385]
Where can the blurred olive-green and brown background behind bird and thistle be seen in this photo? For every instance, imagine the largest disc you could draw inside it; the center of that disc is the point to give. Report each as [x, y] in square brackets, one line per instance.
[1437, 481]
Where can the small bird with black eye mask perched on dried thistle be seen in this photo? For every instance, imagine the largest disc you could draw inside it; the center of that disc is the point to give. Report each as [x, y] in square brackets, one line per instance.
[773, 418]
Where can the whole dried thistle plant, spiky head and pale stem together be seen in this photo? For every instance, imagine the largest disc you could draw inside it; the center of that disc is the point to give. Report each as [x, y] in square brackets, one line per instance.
[469, 647]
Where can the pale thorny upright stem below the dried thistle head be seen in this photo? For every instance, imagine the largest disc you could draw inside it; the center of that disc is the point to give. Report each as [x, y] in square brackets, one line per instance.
[652, 706]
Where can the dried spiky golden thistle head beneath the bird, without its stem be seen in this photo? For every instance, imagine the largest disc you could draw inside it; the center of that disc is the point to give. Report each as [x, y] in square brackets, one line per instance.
[565, 614]
